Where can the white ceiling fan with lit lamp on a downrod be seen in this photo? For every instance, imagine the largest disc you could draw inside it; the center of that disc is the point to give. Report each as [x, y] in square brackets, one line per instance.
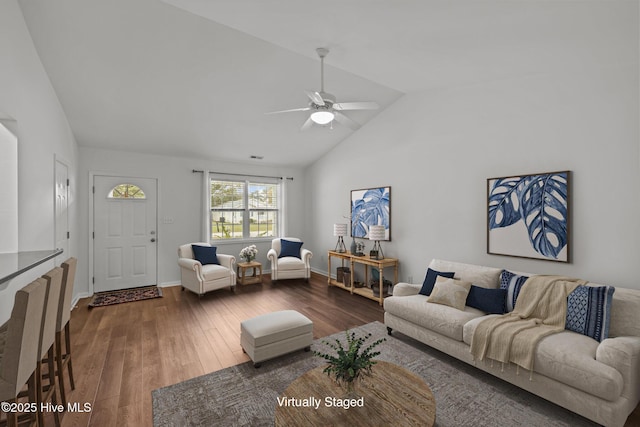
[323, 106]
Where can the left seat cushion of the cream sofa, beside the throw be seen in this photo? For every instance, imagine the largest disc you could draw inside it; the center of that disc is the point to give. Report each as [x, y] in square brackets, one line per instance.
[439, 318]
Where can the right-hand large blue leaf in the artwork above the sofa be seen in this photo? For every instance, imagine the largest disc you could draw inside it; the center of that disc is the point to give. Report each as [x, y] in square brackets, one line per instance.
[543, 206]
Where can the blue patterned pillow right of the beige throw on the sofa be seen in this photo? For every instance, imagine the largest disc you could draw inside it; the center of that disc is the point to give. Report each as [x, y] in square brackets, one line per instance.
[589, 311]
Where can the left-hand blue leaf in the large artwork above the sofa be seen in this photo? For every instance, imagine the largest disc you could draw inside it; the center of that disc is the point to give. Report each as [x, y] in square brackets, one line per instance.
[504, 203]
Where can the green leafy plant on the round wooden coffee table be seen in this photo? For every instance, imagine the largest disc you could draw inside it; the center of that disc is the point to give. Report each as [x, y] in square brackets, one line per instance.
[351, 362]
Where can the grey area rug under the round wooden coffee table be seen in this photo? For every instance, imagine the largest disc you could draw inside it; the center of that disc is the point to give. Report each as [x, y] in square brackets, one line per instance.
[244, 396]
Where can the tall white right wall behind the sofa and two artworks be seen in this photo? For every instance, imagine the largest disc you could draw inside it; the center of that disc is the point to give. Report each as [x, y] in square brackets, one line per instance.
[437, 148]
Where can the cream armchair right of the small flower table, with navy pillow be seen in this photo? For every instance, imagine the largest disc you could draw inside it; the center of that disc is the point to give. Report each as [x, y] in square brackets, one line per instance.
[289, 267]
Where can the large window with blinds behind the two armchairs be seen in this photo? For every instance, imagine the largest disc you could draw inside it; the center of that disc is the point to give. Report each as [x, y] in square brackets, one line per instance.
[244, 209]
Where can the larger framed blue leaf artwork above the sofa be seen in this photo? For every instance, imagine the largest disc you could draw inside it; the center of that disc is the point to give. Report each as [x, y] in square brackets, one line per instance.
[528, 216]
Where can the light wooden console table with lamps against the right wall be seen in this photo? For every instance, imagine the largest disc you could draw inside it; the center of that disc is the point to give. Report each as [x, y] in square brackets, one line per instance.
[367, 261]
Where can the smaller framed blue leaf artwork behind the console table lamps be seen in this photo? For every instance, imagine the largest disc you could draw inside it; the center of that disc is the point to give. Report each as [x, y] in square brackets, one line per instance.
[370, 206]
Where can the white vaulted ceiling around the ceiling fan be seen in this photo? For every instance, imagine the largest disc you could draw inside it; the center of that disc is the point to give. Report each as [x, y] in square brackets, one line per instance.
[195, 77]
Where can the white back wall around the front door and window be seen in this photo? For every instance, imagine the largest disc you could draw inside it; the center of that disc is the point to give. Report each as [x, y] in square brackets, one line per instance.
[179, 198]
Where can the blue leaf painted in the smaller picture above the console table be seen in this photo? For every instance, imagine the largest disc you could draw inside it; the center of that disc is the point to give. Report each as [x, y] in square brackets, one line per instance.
[371, 209]
